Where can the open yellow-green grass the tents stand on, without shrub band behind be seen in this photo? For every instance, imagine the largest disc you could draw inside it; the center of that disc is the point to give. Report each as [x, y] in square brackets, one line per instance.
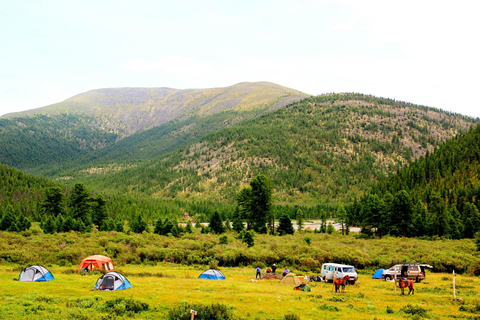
[165, 285]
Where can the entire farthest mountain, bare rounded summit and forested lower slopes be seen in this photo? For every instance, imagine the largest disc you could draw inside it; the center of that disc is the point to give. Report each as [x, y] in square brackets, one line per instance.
[79, 130]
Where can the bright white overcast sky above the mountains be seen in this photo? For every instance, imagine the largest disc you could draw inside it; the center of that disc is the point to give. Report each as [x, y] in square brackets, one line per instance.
[423, 52]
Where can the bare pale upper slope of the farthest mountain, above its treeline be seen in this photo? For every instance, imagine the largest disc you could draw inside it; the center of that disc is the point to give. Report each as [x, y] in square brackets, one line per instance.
[136, 109]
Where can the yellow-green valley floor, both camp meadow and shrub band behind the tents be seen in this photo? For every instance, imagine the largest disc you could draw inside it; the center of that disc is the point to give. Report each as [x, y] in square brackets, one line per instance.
[160, 283]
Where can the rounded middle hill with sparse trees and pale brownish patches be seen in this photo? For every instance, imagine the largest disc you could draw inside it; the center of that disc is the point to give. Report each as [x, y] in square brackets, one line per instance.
[326, 149]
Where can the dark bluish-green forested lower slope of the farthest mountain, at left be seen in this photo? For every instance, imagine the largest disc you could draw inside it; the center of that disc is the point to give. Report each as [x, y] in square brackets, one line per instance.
[45, 141]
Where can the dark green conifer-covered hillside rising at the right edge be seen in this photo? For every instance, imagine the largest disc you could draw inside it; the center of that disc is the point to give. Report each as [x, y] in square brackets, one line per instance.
[436, 195]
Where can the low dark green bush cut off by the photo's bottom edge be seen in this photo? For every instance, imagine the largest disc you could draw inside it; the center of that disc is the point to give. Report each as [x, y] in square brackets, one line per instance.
[215, 311]
